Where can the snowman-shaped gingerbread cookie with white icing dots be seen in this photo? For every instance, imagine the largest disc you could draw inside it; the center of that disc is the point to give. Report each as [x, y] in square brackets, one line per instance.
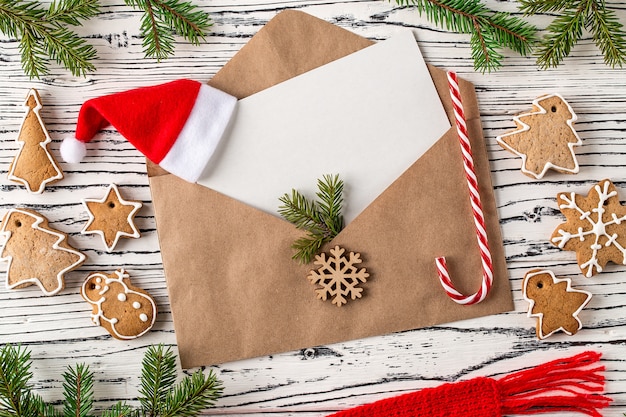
[124, 310]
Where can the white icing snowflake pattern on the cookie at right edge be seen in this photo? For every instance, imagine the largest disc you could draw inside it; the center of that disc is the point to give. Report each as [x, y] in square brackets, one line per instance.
[594, 227]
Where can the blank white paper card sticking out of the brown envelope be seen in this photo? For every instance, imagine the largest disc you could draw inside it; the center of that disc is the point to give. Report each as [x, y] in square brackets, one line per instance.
[367, 117]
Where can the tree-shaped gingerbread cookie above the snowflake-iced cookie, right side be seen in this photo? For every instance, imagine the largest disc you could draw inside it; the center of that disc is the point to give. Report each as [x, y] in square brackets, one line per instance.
[545, 137]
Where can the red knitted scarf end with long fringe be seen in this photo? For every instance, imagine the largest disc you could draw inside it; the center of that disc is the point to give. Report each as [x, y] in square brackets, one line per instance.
[571, 384]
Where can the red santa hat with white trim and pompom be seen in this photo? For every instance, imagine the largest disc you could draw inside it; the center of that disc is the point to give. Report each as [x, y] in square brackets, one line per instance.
[177, 125]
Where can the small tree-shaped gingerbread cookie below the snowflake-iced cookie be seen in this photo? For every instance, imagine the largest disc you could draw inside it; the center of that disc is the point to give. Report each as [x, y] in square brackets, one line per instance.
[553, 302]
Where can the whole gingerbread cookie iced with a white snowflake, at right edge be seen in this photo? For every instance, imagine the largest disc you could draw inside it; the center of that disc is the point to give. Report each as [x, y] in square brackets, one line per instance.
[595, 227]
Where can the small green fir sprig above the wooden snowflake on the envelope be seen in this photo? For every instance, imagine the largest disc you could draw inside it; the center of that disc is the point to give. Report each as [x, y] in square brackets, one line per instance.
[322, 220]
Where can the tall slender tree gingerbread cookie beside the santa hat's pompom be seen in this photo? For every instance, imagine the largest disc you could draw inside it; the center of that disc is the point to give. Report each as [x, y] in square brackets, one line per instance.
[34, 166]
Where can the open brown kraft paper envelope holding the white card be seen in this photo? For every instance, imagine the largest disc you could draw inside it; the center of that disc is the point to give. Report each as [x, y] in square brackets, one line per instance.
[234, 290]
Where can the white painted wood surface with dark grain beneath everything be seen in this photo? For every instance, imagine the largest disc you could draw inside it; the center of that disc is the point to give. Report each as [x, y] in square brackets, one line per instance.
[319, 380]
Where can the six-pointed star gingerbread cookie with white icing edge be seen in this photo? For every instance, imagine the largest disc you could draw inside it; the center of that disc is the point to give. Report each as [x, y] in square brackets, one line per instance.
[111, 217]
